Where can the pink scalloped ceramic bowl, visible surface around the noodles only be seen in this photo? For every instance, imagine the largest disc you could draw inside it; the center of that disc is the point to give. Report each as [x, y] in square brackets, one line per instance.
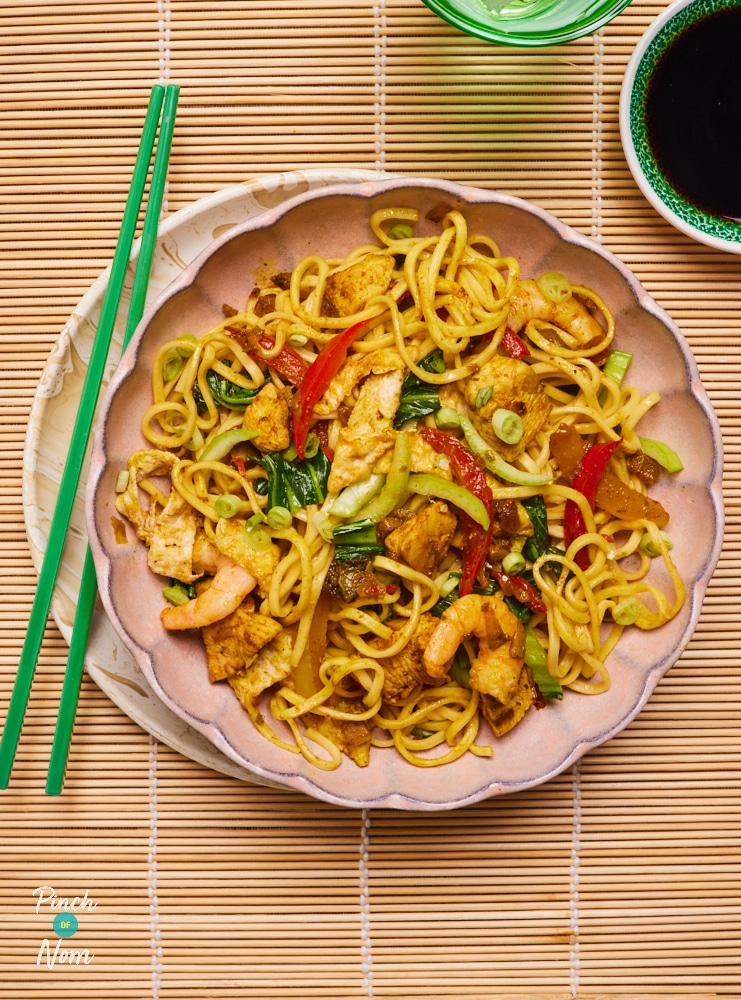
[331, 222]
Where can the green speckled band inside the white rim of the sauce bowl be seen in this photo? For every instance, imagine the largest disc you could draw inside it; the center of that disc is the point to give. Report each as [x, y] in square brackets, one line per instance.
[691, 215]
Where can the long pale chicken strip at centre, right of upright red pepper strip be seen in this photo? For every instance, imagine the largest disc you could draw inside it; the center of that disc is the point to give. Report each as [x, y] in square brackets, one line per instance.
[368, 434]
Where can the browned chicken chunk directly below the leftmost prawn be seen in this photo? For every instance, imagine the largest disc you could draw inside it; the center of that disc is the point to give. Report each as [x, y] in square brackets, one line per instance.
[234, 642]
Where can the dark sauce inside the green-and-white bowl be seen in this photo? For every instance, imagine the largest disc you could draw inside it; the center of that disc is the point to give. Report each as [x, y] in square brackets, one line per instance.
[693, 113]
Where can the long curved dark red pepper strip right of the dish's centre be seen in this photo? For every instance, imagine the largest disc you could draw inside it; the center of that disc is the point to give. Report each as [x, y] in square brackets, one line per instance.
[469, 475]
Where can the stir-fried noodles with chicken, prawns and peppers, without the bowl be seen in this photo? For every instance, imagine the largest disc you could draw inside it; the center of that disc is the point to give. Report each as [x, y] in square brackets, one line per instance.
[403, 492]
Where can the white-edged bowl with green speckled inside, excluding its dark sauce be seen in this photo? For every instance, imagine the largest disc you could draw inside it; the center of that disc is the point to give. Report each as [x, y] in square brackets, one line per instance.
[703, 226]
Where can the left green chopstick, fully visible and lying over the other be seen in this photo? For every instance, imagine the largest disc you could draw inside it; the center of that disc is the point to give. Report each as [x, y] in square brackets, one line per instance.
[78, 445]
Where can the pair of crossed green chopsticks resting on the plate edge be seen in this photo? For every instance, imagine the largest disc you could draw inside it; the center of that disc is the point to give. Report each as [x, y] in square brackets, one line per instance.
[160, 117]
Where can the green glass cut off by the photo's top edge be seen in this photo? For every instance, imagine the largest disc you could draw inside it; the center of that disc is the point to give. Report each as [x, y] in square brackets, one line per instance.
[527, 22]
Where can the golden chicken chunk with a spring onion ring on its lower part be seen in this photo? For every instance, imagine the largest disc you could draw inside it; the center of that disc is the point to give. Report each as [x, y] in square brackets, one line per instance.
[516, 387]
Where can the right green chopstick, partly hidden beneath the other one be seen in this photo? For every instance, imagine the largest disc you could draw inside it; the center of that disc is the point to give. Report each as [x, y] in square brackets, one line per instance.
[88, 582]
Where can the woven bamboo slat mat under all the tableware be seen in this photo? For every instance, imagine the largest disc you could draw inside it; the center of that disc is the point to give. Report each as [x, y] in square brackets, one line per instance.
[622, 877]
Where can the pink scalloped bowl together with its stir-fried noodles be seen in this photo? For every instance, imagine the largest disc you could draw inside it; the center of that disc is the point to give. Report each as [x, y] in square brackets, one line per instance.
[405, 494]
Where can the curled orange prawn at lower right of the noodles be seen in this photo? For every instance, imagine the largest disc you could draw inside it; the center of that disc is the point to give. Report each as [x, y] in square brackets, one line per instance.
[498, 664]
